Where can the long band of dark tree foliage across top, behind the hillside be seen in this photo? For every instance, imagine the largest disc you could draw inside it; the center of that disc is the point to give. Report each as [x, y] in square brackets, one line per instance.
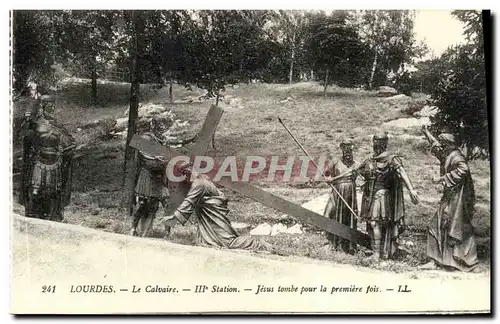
[211, 48]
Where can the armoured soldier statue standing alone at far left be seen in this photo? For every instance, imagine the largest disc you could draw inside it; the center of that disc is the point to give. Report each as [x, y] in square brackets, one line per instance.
[48, 150]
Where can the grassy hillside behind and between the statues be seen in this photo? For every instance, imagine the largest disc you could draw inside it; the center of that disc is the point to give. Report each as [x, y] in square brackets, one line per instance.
[250, 128]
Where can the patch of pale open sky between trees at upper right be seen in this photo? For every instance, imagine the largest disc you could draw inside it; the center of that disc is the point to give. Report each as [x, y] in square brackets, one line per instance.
[439, 29]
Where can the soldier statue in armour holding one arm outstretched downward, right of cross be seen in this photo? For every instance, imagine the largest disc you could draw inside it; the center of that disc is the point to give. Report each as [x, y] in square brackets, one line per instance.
[382, 204]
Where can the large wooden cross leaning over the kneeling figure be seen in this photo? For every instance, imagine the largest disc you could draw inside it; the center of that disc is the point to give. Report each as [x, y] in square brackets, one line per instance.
[201, 145]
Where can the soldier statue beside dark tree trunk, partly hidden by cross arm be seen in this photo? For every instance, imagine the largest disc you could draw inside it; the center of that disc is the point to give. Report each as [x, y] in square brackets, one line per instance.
[150, 186]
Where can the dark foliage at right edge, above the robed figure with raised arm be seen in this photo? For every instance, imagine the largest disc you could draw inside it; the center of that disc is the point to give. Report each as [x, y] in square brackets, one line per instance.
[460, 92]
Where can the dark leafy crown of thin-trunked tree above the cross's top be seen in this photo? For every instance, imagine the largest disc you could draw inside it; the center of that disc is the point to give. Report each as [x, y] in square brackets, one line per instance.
[220, 47]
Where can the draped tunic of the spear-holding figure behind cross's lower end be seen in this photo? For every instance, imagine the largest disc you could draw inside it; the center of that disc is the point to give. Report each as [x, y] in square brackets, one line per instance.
[336, 209]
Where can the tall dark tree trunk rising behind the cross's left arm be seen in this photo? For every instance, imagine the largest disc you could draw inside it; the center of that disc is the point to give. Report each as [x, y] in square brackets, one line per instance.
[128, 176]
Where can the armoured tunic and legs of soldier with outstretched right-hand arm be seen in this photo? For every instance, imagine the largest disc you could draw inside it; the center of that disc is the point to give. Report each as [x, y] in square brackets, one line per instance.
[382, 200]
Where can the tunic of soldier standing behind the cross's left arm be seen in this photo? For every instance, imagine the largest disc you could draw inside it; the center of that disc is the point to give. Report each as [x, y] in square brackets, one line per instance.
[151, 184]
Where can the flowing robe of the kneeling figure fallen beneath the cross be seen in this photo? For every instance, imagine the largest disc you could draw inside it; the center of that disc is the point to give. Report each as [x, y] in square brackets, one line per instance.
[214, 229]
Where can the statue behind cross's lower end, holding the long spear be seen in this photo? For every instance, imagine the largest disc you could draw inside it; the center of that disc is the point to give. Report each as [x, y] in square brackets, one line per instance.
[346, 186]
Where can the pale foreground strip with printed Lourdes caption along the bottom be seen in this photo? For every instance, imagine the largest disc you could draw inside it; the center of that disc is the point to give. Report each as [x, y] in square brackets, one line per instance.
[47, 253]
